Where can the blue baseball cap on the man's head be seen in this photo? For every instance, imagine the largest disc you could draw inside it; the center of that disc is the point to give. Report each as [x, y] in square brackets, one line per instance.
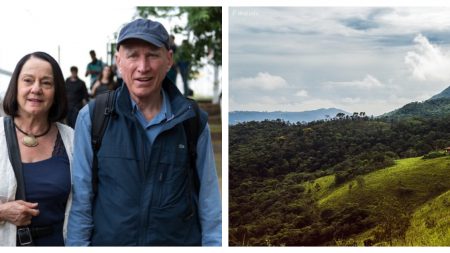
[147, 30]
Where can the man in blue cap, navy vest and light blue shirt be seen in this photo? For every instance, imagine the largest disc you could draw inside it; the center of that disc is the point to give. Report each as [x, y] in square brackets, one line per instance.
[146, 194]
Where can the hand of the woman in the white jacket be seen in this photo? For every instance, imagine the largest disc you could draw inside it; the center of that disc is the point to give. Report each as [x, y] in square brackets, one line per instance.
[18, 212]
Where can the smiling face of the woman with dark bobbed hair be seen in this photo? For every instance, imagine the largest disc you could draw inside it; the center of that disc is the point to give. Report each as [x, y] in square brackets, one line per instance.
[35, 88]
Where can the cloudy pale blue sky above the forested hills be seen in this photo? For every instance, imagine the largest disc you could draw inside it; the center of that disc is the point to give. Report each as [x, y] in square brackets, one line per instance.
[353, 58]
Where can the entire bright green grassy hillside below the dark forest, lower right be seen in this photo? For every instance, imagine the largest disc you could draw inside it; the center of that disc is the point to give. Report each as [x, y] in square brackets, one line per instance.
[388, 199]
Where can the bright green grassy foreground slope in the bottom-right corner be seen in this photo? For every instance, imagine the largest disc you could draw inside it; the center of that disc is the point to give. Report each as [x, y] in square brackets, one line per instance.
[430, 224]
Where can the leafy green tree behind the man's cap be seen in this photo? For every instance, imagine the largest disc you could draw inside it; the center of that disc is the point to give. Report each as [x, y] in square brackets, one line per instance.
[203, 28]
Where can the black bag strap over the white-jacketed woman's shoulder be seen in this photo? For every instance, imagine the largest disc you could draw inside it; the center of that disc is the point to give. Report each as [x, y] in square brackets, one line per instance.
[14, 156]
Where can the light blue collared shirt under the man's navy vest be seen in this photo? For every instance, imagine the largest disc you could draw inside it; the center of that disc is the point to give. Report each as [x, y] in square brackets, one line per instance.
[80, 223]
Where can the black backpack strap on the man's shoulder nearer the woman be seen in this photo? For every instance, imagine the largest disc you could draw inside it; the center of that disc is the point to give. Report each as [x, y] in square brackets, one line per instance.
[100, 111]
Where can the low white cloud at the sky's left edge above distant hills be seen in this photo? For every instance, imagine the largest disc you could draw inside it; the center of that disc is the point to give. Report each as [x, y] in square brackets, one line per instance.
[262, 81]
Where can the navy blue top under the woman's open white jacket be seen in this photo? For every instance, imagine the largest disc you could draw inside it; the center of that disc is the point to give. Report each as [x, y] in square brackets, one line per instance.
[48, 183]
